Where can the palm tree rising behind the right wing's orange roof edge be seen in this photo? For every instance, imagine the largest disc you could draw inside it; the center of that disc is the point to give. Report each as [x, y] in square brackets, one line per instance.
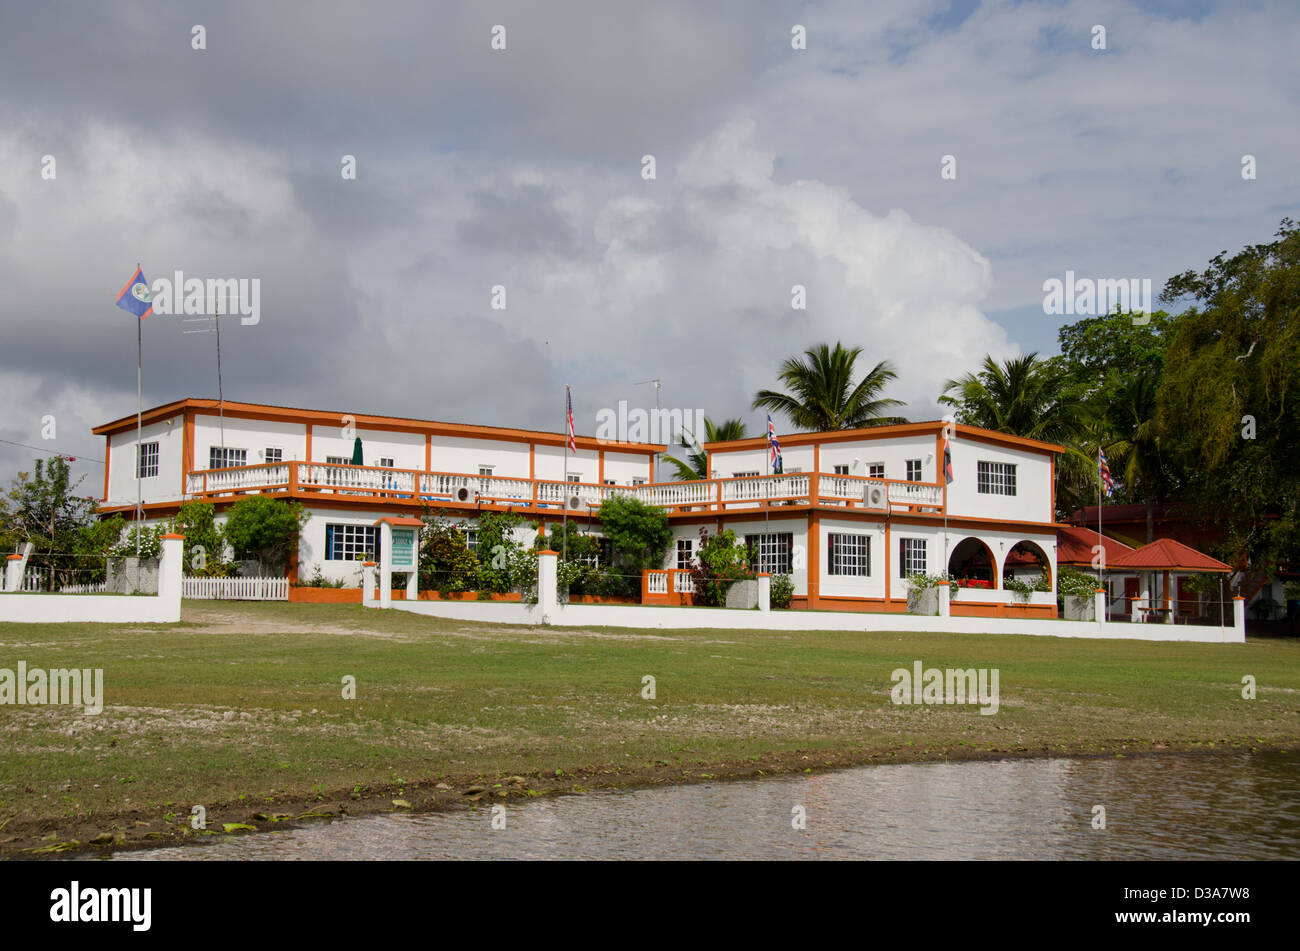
[824, 396]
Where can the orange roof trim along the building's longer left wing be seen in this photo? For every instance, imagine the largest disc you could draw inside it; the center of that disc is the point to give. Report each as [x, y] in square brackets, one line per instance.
[397, 424]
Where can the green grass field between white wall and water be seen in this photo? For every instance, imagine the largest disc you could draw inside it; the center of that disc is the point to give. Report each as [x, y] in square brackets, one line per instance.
[241, 709]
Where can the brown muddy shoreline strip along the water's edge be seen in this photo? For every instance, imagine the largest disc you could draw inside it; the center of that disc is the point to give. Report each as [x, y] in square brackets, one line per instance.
[161, 828]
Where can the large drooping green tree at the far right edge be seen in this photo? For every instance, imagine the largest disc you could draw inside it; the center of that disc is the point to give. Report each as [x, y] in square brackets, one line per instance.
[1229, 401]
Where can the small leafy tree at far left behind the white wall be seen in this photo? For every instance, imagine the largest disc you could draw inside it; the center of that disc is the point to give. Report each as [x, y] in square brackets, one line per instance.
[44, 509]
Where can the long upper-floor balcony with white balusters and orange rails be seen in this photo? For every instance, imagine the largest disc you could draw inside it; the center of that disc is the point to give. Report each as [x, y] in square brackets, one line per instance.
[369, 485]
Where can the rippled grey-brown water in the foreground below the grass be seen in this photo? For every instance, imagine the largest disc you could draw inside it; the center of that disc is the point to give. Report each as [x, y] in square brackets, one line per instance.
[1217, 806]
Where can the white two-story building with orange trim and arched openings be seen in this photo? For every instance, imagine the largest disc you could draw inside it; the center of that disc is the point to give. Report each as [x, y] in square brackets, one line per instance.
[852, 516]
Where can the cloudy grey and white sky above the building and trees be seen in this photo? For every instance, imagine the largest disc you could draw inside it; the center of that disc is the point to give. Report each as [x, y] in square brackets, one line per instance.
[526, 170]
